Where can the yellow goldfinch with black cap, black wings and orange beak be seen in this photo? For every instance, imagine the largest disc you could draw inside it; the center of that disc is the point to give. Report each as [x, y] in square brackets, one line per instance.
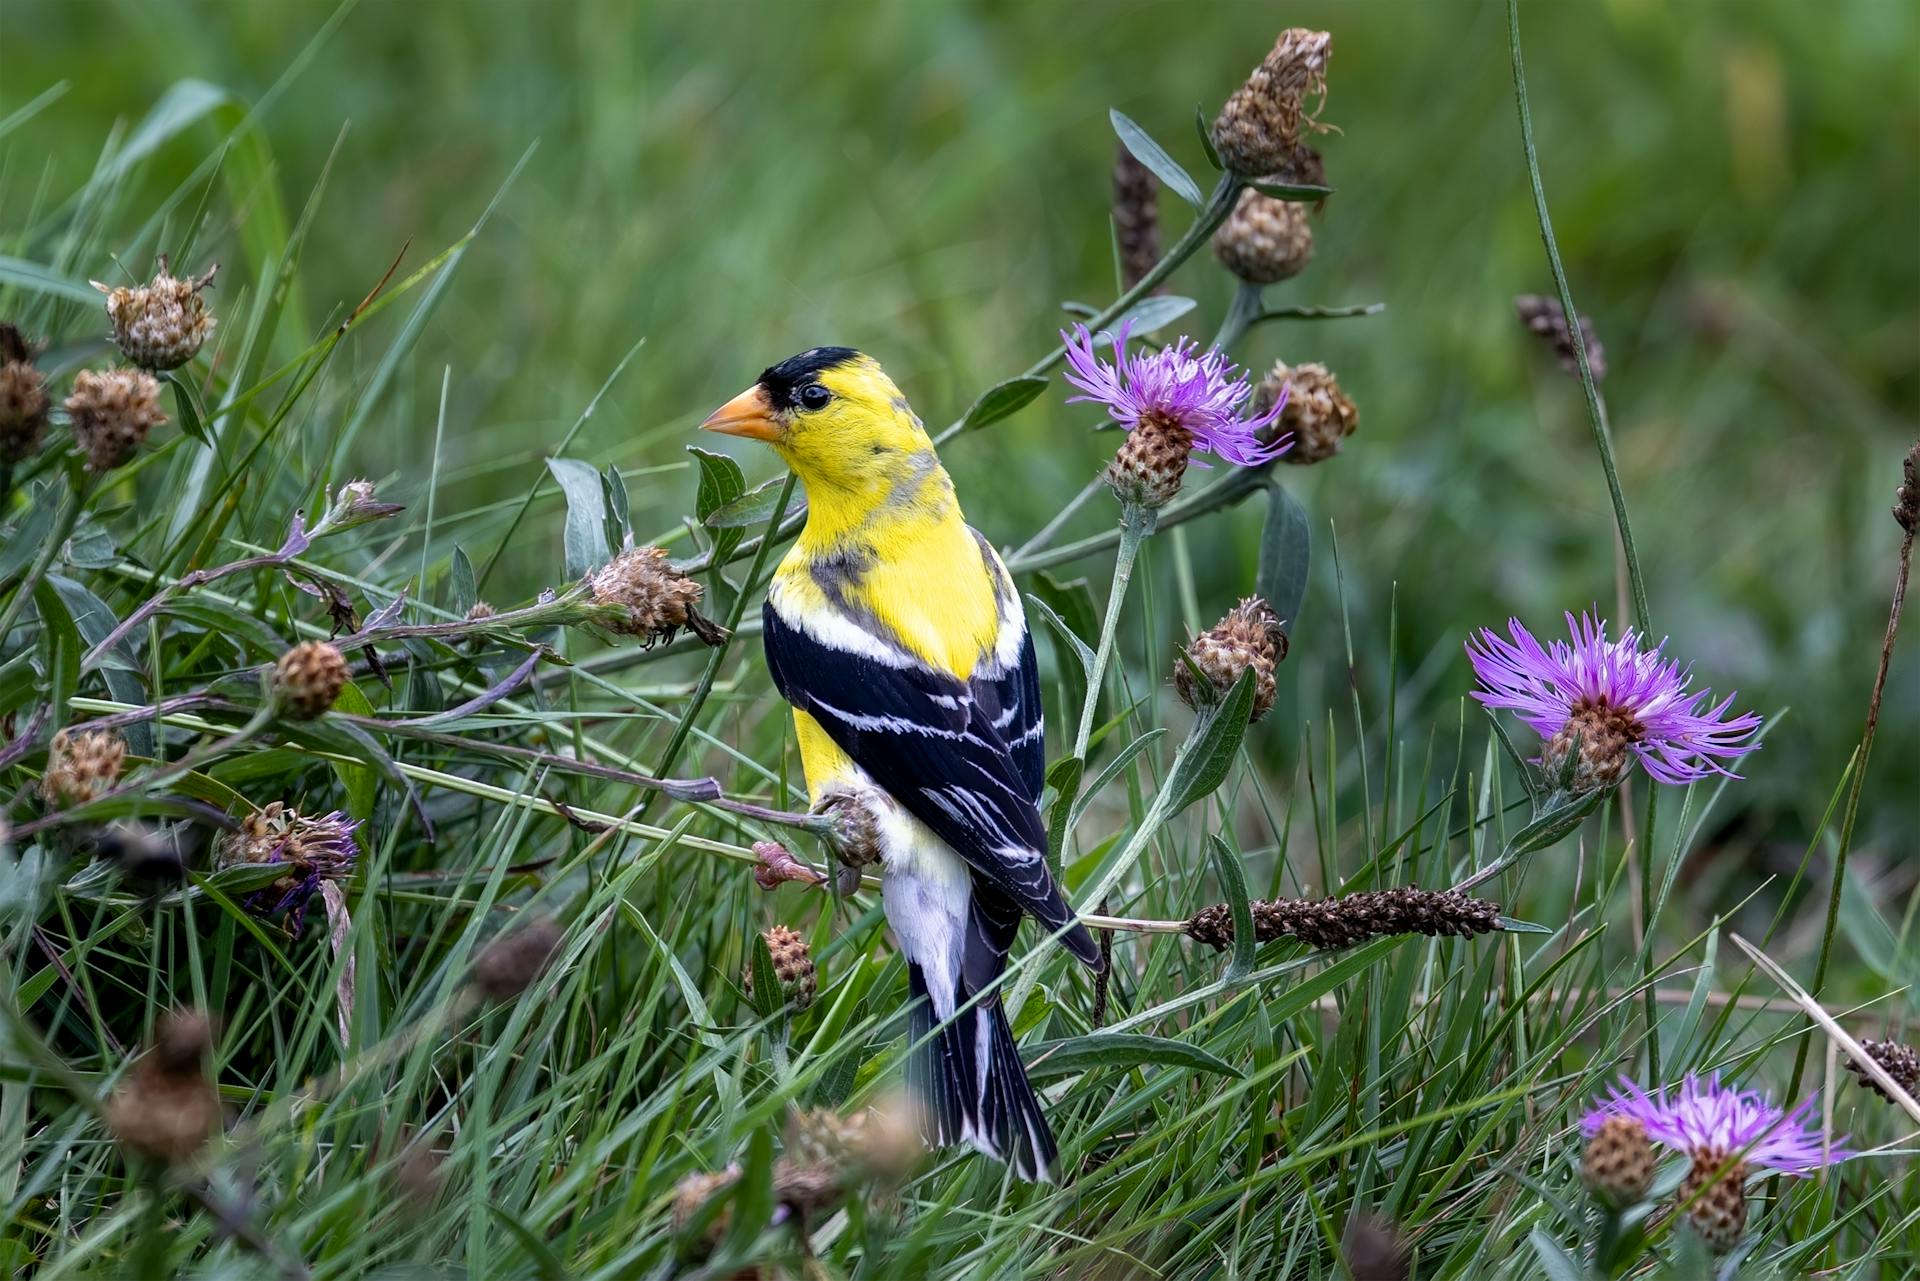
[898, 635]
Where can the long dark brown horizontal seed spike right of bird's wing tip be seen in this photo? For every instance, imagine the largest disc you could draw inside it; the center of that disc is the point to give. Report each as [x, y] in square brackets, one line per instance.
[1353, 919]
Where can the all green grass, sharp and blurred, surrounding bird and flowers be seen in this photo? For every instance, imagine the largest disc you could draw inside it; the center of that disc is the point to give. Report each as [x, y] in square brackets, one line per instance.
[608, 220]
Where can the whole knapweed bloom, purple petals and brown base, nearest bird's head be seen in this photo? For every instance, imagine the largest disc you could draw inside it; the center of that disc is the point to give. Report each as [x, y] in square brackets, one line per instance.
[1172, 402]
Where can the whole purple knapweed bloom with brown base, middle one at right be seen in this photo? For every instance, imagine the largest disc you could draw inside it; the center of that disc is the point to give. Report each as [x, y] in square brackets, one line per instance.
[1620, 700]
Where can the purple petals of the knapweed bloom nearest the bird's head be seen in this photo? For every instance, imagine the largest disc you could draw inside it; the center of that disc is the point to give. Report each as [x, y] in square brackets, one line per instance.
[1178, 389]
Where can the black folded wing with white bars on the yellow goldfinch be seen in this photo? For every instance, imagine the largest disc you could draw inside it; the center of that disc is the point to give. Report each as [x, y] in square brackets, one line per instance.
[926, 740]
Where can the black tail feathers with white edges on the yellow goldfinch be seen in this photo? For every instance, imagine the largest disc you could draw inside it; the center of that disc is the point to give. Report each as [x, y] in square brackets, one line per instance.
[974, 1088]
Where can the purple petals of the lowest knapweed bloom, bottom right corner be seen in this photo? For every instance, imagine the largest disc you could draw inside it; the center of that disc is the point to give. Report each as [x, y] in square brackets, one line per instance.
[1714, 1123]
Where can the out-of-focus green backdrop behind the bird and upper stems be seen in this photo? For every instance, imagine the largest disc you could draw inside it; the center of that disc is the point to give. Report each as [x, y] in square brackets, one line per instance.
[1735, 187]
